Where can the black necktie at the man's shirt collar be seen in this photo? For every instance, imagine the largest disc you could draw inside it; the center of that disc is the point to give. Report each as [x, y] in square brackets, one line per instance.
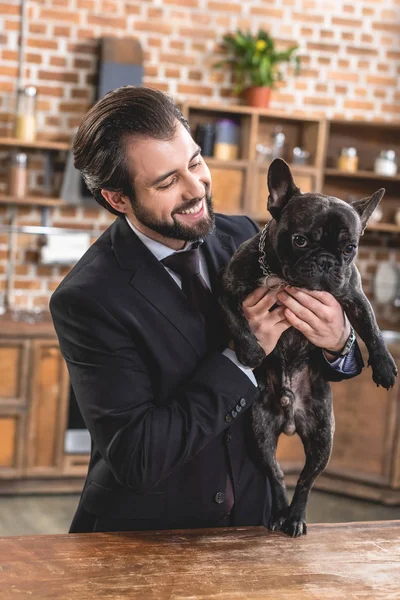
[187, 266]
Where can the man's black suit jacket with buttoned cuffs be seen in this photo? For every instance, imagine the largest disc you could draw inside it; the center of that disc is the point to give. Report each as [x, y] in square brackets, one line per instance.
[157, 402]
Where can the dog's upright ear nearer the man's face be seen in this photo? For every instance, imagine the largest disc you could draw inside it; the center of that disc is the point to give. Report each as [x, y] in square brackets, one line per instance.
[281, 187]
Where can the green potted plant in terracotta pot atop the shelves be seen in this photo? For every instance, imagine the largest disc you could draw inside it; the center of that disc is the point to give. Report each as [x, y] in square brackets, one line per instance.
[254, 60]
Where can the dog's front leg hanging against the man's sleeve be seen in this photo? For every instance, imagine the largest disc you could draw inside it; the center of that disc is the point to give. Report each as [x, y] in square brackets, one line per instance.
[248, 350]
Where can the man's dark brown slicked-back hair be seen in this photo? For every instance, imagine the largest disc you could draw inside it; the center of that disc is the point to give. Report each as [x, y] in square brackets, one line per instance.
[99, 145]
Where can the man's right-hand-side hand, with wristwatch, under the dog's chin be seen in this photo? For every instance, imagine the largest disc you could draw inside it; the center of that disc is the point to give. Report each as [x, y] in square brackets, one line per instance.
[318, 315]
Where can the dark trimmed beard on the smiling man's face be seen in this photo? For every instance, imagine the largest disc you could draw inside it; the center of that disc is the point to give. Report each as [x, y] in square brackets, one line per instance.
[177, 230]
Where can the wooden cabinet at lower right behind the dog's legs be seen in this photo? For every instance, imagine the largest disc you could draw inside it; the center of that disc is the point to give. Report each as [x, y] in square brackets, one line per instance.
[365, 460]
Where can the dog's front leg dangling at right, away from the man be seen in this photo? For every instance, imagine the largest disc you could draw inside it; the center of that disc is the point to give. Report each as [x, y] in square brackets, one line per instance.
[362, 317]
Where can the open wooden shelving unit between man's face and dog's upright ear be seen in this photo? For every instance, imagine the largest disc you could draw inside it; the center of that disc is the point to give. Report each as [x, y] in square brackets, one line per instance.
[239, 186]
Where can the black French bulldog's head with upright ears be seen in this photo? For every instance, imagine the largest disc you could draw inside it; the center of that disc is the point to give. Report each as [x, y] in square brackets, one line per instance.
[314, 236]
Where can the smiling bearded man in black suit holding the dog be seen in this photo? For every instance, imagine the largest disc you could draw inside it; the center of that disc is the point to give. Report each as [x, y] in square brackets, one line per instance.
[163, 396]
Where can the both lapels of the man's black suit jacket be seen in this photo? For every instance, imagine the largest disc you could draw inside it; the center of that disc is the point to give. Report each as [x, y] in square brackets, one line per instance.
[152, 281]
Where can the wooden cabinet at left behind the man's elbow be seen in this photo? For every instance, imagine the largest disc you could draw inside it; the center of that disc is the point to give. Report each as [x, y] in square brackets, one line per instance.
[34, 395]
